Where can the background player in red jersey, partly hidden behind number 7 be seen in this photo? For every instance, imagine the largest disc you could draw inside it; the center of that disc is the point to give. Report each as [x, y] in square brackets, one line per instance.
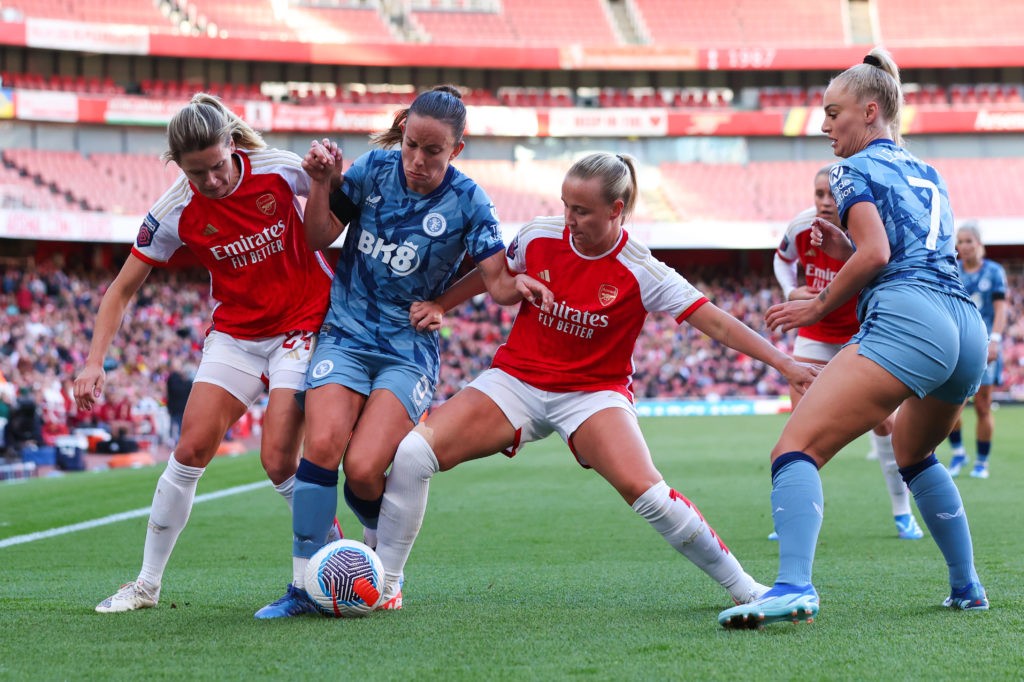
[820, 343]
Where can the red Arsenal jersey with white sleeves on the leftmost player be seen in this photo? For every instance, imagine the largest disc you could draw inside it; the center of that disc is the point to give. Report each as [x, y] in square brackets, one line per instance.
[264, 278]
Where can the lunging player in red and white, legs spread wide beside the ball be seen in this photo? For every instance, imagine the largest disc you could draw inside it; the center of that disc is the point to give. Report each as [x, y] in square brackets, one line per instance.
[569, 371]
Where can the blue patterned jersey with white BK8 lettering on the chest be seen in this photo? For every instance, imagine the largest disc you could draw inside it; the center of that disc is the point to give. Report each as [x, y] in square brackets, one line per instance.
[403, 247]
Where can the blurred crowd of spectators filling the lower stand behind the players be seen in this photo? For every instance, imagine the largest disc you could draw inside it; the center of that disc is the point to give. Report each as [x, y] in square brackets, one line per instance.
[48, 311]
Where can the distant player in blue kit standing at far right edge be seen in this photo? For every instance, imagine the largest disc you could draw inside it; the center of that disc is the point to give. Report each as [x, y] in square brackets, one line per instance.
[987, 283]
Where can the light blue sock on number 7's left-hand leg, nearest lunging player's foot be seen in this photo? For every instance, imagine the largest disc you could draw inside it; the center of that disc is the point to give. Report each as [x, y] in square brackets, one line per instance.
[798, 504]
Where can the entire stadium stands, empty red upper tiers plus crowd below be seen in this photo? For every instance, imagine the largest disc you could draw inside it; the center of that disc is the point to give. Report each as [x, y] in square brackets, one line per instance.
[743, 173]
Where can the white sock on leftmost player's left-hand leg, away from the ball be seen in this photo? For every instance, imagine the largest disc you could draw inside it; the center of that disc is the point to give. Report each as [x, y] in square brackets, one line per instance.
[172, 507]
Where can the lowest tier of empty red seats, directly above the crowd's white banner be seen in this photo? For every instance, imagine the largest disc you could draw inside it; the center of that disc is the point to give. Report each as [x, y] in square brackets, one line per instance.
[126, 184]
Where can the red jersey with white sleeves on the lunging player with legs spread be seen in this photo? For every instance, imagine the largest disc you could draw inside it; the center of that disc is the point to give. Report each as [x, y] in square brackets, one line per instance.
[602, 303]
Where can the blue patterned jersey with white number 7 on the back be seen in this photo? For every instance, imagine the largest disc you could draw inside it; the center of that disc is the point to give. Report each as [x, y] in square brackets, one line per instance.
[914, 204]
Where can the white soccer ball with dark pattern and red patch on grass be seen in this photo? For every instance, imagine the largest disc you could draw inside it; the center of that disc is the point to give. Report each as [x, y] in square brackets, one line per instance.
[346, 579]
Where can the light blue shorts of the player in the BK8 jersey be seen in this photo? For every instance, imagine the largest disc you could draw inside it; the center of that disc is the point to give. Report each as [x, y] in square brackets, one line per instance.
[365, 372]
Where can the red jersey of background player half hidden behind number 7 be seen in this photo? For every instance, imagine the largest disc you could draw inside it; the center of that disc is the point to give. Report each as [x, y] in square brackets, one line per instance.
[820, 271]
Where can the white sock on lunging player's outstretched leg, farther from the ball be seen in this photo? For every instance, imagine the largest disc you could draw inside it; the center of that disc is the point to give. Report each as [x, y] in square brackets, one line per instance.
[681, 525]
